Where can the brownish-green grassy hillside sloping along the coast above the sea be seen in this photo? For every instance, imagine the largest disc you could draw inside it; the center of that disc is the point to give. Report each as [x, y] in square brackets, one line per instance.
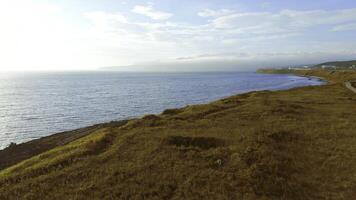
[293, 144]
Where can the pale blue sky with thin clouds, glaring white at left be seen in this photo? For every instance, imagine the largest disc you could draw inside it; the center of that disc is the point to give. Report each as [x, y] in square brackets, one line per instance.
[174, 35]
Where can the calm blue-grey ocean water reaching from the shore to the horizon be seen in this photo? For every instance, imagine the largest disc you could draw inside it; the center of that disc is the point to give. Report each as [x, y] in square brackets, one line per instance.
[34, 105]
